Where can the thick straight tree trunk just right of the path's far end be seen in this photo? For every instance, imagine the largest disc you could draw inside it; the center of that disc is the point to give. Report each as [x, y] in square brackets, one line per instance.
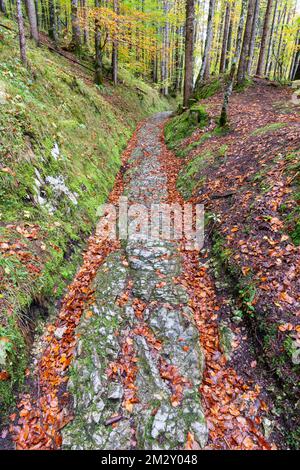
[189, 51]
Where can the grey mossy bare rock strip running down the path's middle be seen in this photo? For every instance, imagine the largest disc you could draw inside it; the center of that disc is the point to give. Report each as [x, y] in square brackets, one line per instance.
[163, 337]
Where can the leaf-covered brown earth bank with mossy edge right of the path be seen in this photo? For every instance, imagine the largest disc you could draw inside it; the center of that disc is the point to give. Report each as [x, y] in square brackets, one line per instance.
[248, 179]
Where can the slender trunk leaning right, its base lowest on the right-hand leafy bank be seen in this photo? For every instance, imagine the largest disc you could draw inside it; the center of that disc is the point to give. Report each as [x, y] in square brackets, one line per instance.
[229, 88]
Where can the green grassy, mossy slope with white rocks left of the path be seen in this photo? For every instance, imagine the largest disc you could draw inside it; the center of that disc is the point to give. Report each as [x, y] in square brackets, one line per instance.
[61, 141]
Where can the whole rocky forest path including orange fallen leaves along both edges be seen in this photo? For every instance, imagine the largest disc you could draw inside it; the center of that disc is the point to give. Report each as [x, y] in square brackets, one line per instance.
[139, 329]
